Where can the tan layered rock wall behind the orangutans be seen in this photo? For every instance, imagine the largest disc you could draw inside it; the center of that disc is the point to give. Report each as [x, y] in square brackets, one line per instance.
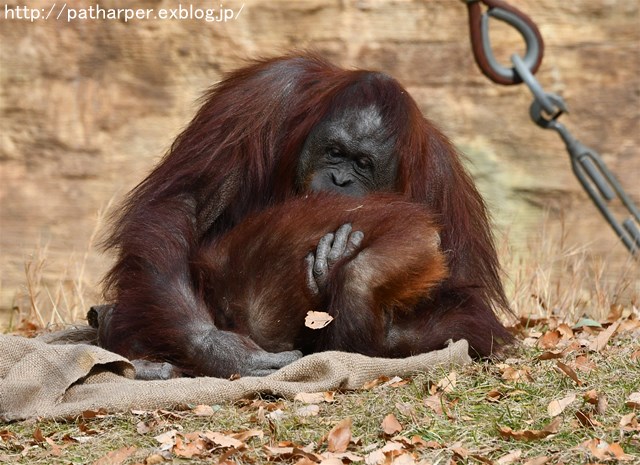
[87, 107]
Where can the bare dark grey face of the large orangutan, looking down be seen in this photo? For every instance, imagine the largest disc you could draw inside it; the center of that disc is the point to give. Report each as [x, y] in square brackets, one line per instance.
[349, 153]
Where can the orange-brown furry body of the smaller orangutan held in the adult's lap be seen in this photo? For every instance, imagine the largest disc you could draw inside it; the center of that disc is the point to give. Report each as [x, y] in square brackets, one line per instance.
[255, 286]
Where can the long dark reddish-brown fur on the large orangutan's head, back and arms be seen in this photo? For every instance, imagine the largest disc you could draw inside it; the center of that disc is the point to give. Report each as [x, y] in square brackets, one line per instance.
[238, 156]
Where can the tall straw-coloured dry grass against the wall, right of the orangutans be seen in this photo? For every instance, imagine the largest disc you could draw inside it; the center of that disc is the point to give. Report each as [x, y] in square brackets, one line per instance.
[555, 278]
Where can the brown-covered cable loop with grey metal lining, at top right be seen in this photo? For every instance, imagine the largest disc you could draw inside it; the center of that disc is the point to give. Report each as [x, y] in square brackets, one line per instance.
[481, 43]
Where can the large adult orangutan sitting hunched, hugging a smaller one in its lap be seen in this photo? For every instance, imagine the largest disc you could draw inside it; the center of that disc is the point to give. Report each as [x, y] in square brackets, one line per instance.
[271, 133]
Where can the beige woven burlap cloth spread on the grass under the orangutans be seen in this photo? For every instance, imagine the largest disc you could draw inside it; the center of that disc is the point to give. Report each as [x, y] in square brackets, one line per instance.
[38, 379]
